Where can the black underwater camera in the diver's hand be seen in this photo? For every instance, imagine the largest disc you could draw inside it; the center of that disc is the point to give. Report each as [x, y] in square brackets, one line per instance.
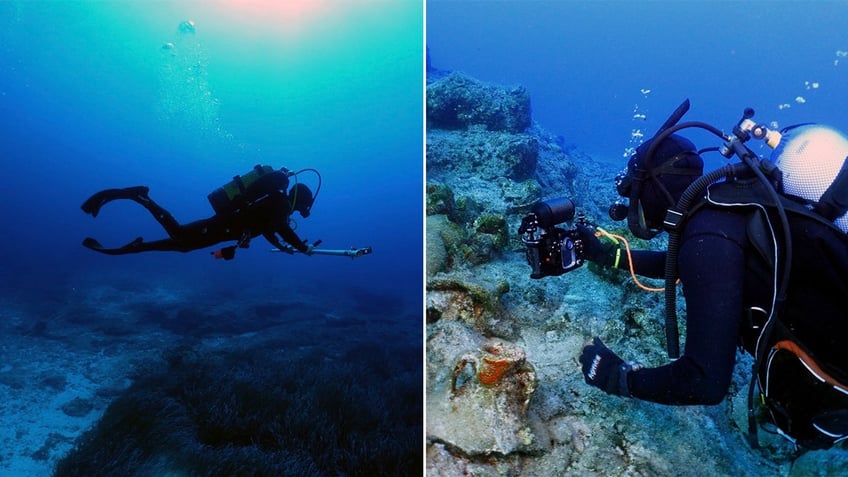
[552, 250]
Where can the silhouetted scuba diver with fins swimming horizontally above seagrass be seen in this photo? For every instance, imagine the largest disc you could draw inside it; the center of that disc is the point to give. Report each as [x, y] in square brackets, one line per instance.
[250, 205]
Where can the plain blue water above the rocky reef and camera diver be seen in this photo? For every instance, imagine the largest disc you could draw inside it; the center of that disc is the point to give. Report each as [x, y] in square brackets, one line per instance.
[586, 64]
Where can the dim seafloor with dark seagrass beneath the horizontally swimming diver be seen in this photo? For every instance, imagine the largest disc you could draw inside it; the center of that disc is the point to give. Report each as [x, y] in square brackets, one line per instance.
[125, 374]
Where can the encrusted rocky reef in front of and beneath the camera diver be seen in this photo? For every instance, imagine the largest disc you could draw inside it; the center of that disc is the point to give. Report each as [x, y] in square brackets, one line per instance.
[504, 394]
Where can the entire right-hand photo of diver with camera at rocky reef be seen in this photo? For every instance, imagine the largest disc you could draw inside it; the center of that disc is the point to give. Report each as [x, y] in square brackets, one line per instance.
[620, 270]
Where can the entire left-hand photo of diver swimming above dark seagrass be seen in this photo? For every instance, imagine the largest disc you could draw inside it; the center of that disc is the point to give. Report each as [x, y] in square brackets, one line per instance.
[196, 278]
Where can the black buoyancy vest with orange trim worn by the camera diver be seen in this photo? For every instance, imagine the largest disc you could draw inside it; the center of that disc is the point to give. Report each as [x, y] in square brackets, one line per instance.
[803, 379]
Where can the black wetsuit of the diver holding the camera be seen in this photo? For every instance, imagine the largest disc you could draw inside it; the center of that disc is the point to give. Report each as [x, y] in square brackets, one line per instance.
[722, 276]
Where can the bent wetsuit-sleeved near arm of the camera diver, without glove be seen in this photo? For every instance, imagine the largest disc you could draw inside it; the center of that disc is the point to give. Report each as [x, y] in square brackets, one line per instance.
[712, 269]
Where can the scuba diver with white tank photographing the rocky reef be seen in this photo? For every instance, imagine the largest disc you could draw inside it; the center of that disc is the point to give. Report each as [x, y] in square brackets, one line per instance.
[745, 284]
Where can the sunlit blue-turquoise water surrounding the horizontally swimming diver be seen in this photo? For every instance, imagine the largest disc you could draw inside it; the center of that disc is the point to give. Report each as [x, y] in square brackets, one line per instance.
[91, 97]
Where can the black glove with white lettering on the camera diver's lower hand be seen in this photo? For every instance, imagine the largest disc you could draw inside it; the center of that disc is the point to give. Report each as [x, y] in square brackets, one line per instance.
[605, 370]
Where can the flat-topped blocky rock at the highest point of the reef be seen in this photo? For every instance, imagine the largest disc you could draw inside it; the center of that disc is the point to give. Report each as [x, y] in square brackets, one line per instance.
[458, 101]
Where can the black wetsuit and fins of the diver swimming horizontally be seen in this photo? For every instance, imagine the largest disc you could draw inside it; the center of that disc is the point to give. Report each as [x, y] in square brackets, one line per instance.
[268, 216]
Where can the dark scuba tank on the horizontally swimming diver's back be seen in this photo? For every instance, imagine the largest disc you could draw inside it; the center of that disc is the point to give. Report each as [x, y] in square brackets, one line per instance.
[247, 188]
